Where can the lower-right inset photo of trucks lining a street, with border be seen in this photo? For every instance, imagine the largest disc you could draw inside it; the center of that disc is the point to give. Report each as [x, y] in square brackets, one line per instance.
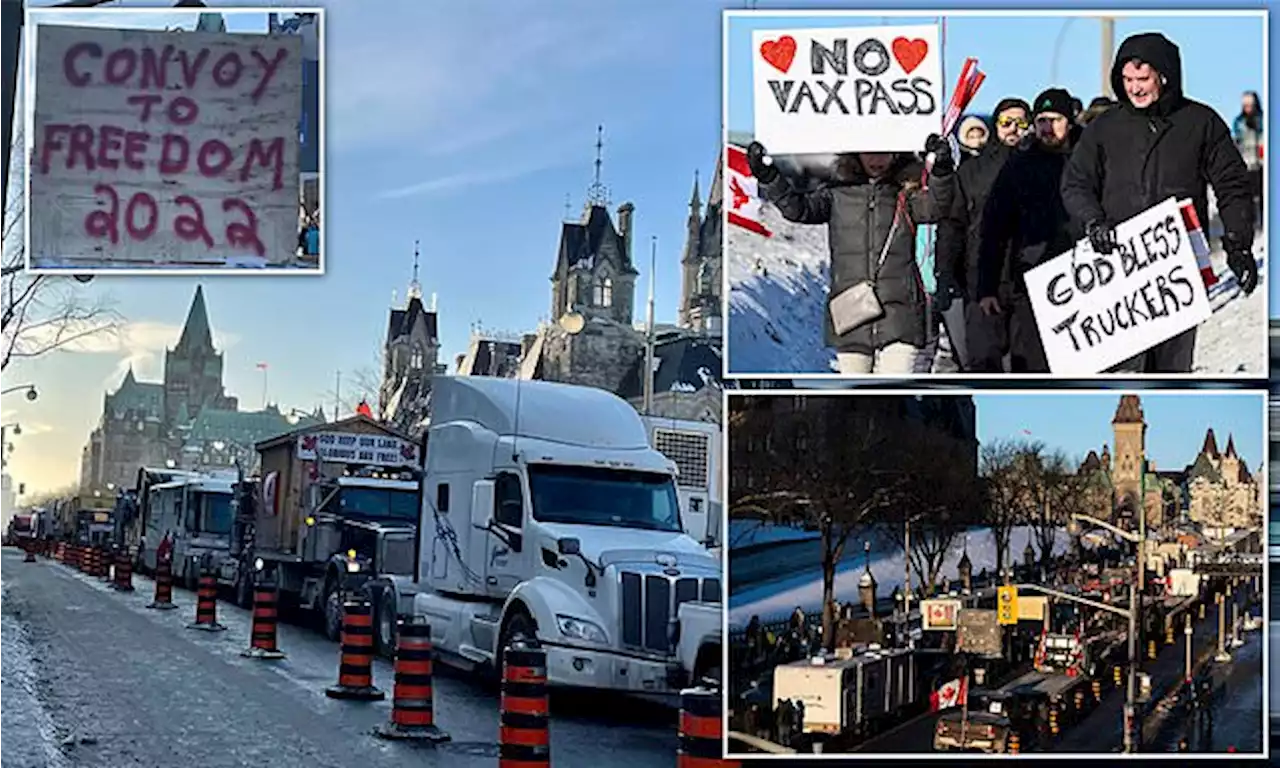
[1043, 492]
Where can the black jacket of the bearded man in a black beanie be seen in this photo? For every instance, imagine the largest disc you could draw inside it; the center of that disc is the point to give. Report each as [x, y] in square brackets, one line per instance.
[1025, 223]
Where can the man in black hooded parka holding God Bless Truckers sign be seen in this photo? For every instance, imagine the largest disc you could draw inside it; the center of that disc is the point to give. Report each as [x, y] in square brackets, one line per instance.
[1155, 145]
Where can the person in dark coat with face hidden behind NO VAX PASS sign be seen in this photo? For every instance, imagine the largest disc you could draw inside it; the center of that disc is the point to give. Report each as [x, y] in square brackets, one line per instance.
[871, 212]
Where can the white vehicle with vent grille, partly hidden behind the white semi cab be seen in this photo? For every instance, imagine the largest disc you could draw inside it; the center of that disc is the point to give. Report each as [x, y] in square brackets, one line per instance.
[696, 447]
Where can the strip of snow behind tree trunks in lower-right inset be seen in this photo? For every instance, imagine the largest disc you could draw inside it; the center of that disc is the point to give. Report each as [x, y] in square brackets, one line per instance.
[778, 601]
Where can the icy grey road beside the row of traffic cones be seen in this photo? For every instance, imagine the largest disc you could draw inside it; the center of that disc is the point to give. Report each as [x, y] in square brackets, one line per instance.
[92, 678]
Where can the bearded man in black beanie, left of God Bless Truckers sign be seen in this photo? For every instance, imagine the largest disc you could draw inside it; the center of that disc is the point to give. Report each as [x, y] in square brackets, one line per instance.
[1026, 225]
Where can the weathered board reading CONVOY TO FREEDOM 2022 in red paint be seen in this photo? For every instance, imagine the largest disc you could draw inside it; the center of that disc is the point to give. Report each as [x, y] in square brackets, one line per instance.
[163, 149]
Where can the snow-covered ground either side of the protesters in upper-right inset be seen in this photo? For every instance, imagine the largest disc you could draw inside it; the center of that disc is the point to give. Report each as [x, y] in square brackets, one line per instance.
[779, 292]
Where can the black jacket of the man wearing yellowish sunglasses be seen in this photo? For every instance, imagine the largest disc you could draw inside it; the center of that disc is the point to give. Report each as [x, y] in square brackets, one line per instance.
[961, 200]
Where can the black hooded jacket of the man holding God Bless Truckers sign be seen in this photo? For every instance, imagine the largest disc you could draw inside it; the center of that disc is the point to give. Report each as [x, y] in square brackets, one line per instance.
[1131, 159]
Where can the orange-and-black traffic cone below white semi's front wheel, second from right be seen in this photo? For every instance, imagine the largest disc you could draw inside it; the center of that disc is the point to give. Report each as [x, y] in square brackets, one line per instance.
[524, 740]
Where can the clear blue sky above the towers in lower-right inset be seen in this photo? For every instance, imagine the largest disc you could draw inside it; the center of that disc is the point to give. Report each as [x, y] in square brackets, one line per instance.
[1082, 423]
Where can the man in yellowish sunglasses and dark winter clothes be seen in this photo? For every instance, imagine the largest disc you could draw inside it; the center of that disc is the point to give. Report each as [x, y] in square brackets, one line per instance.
[980, 342]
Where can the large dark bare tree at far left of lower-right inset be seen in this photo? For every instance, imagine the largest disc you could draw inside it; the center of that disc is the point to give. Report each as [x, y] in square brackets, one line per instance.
[819, 464]
